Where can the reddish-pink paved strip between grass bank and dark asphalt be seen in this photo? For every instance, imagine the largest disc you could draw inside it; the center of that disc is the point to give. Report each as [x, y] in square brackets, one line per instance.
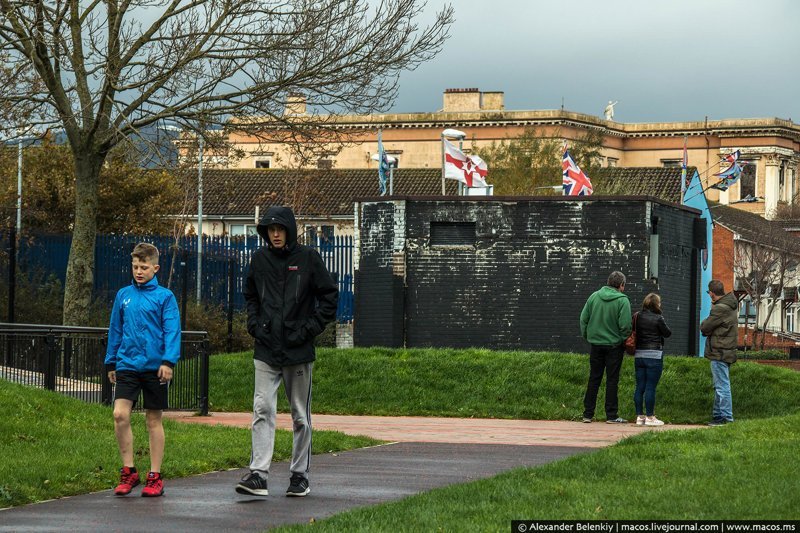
[456, 430]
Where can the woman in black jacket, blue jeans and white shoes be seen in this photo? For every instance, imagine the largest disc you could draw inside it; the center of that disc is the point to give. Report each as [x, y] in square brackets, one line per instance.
[651, 329]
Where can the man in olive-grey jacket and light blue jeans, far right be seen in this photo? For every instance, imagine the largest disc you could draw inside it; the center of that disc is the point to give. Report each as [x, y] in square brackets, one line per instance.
[721, 332]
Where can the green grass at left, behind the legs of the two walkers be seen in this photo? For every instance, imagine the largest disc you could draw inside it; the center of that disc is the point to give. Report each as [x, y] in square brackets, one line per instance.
[53, 446]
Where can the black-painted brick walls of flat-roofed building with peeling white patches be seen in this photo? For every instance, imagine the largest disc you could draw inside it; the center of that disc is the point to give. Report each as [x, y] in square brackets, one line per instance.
[523, 282]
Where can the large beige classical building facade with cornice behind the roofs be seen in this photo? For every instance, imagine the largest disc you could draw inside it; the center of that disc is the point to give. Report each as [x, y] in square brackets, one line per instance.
[769, 146]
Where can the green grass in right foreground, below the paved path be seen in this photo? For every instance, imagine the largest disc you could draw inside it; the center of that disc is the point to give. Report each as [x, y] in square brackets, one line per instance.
[736, 472]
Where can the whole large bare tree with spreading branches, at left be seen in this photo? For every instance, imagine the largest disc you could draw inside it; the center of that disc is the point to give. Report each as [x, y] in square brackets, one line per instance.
[104, 71]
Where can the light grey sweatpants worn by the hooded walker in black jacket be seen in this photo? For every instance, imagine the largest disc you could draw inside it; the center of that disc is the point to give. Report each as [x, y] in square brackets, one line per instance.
[297, 382]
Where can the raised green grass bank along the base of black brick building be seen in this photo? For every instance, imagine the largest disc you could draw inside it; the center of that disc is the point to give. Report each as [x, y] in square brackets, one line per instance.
[519, 385]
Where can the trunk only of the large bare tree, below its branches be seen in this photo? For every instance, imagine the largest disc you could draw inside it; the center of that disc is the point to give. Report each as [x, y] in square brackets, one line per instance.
[80, 267]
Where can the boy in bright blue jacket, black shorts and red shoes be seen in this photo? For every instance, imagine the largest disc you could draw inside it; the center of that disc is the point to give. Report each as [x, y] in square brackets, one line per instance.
[144, 343]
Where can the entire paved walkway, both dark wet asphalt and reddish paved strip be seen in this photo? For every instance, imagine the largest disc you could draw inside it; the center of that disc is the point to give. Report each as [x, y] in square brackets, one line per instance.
[426, 453]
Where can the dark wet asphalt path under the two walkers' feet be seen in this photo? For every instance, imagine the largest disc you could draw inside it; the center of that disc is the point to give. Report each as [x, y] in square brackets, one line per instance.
[339, 482]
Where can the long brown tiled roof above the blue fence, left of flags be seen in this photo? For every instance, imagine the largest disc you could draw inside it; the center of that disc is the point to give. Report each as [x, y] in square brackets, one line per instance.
[313, 192]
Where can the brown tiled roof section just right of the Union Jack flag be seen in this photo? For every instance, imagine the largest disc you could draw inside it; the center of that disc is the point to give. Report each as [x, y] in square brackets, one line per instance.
[661, 182]
